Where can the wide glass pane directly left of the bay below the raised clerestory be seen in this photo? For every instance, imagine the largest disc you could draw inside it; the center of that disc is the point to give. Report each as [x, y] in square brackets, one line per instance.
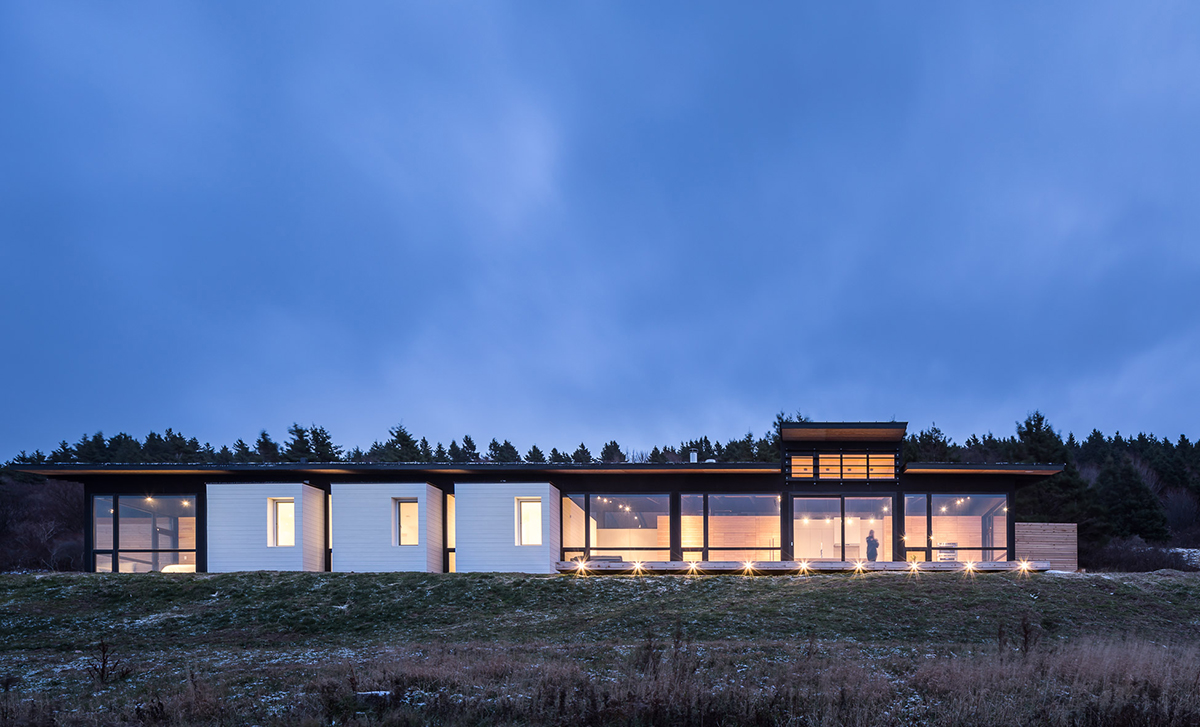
[743, 527]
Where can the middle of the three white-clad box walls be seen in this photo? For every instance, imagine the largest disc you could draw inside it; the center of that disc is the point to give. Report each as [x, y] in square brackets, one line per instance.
[365, 528]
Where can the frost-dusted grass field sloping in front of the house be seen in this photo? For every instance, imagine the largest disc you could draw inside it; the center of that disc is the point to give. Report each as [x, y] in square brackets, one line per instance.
[500, 650]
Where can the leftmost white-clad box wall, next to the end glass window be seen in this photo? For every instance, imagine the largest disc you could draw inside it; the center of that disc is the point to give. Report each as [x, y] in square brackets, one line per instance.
[239, 527]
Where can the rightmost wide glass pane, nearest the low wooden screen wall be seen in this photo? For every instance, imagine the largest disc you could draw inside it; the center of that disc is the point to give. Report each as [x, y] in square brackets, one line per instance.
[970, 527]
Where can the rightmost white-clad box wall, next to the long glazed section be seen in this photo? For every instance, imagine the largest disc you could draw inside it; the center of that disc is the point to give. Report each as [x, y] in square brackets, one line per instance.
[487, 528]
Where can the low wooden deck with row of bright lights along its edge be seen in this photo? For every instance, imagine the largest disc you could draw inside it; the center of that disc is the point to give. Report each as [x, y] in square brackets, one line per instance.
[790, 568]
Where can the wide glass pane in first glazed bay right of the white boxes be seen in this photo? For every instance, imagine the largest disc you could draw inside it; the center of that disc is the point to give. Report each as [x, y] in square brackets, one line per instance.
[631, 527]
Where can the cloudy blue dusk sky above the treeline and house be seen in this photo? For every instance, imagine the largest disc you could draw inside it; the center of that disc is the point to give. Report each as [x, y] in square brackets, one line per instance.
[555, 223]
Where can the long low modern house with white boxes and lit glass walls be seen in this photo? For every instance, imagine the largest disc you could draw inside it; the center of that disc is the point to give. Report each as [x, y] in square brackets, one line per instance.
[839, 498]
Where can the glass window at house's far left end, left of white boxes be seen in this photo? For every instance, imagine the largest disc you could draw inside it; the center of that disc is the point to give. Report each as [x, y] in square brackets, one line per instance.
[145, 533]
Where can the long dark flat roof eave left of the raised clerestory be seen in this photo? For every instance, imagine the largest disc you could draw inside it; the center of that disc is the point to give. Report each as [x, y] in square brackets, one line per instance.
[343, 470]
